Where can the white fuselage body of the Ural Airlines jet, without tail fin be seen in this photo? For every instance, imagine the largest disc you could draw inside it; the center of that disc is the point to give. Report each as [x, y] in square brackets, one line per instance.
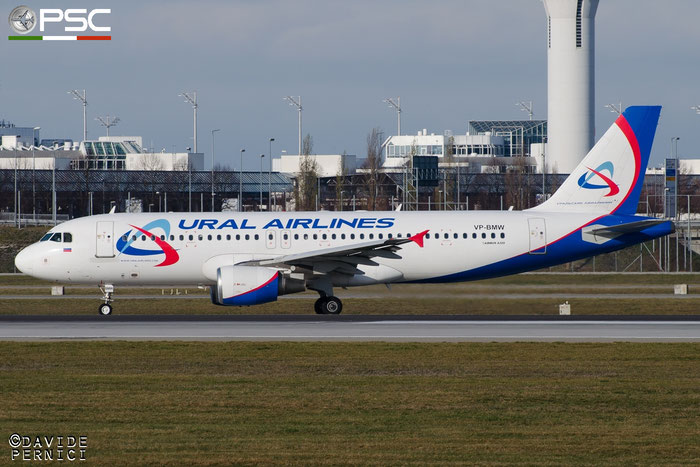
[456, 242]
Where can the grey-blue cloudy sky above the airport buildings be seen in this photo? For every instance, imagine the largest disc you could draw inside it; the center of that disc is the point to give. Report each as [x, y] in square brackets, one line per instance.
[451, 61]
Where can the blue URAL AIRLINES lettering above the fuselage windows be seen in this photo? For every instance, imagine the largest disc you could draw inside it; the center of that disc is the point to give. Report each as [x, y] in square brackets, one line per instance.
[295, 223]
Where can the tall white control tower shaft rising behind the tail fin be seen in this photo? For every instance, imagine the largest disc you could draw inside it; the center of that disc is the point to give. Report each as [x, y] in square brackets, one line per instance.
[570, 82]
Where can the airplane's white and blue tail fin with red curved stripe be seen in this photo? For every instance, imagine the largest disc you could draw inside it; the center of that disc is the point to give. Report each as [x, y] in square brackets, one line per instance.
[610, 177]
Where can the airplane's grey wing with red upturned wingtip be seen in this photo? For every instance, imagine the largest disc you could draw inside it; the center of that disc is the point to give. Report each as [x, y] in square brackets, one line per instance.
[343, 259]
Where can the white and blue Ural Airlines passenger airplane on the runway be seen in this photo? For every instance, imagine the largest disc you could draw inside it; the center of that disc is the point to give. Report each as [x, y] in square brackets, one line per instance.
[252, 258]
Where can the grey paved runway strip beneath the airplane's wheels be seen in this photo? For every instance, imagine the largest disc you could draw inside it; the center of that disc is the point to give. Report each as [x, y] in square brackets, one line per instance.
[351, 328]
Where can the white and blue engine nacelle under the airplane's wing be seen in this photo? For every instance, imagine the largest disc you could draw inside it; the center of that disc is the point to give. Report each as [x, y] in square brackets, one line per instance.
[251, 285]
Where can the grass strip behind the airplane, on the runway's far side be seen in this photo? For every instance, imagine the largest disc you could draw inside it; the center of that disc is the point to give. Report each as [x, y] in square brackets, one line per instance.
[537, 294]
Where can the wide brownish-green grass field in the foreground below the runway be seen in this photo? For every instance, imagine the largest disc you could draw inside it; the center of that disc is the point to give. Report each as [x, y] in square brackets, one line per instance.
[358, 403]
